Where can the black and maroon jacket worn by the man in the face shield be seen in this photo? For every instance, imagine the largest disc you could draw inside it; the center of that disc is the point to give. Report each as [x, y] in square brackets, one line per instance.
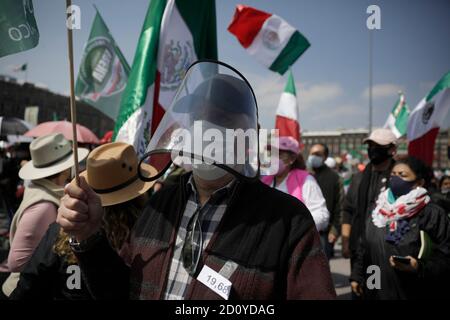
[269, 235]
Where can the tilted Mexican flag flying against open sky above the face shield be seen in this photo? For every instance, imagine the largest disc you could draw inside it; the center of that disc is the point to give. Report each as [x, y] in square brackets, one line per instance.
[268, 38]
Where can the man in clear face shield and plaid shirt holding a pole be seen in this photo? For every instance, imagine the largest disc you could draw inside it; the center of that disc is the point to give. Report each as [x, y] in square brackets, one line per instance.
[218, 222]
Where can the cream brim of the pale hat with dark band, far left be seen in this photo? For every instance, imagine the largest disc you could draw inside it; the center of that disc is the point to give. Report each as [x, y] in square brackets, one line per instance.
[30, 172]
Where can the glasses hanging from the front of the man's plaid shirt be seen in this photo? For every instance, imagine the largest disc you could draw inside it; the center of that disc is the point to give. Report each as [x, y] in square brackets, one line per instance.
[193, 244]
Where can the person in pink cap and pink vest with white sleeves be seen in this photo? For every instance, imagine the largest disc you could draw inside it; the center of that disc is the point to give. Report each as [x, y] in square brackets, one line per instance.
[292, 178]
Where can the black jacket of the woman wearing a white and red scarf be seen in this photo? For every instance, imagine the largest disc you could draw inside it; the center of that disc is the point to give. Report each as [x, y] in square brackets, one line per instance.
[430, 282]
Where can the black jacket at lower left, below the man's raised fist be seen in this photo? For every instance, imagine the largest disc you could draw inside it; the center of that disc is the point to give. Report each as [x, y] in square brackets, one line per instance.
[45, 275]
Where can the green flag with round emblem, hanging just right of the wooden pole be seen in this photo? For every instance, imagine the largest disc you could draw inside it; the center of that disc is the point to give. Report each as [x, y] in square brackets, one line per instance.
[103, 71]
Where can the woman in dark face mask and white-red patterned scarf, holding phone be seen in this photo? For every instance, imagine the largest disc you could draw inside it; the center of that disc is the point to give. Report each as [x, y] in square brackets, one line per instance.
[406, 241]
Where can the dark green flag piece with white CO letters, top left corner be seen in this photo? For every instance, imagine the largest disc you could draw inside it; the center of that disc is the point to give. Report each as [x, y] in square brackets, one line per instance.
[18, 28]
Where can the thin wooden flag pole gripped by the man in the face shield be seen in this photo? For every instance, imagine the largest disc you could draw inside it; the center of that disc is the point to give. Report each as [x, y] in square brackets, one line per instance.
[73, 107]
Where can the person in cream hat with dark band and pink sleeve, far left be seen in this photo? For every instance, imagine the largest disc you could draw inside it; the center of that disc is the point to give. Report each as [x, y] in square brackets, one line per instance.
[49, 170]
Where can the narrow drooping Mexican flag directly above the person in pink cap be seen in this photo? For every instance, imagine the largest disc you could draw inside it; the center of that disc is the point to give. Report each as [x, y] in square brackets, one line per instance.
[287, 112]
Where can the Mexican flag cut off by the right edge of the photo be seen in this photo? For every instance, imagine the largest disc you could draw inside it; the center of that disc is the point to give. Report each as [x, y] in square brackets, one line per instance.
[426, 119]
